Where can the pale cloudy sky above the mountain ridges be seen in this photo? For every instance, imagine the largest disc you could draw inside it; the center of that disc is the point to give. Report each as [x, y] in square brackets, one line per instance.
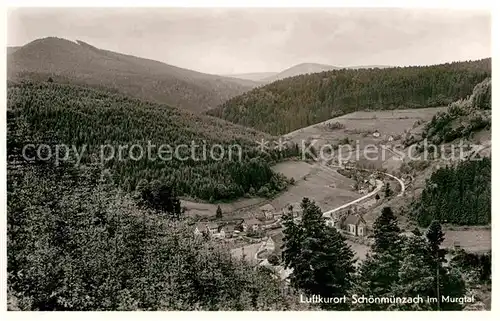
[239, 40]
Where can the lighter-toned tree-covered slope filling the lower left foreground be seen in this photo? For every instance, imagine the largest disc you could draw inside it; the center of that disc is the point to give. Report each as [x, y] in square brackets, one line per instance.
[75, 242]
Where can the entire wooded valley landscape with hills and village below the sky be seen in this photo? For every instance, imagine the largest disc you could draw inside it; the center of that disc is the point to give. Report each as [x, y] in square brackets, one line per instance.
[332, 184]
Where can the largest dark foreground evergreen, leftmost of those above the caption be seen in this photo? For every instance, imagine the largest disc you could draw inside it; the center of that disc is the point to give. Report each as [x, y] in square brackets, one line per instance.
[322, 262]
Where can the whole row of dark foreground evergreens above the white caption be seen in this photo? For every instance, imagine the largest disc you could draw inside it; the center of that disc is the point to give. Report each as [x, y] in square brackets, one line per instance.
[397, 265]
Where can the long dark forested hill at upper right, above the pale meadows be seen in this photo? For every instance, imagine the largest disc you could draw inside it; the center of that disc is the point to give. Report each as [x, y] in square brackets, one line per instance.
[296, 102]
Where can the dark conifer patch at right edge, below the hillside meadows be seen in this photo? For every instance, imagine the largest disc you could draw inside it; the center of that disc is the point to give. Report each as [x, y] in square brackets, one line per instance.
[458, 195]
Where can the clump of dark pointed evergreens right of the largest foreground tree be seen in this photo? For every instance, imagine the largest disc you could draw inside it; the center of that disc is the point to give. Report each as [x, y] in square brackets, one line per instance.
[408, 267]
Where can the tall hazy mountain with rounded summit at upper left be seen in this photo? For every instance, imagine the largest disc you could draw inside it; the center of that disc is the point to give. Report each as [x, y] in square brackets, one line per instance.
[80, 63]
